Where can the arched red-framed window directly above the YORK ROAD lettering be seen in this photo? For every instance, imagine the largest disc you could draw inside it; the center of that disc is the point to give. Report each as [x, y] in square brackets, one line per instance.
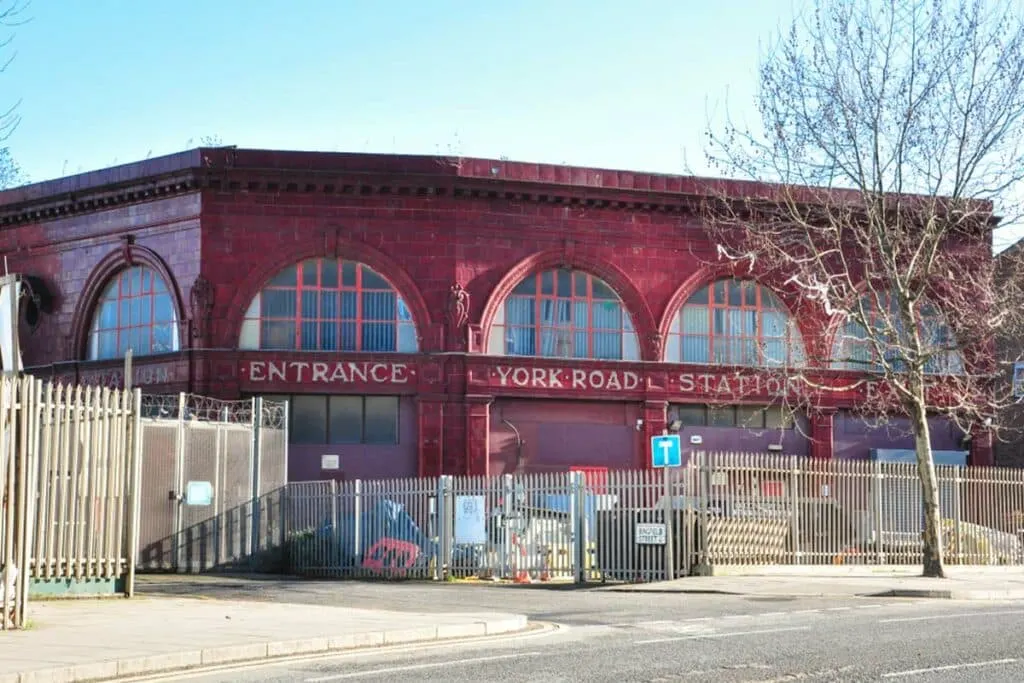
[564, 314]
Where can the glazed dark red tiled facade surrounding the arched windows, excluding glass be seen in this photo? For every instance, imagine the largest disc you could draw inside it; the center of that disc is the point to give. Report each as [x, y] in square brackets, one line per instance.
[455, 239]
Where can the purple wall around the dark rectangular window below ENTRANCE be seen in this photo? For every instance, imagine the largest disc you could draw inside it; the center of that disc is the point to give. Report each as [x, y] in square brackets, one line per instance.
[362, 461]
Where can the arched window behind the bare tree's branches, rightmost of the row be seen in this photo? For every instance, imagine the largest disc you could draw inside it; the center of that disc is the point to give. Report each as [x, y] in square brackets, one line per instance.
[855, 350]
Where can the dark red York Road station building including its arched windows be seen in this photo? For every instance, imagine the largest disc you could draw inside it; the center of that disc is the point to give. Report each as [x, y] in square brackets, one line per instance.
[425, 315]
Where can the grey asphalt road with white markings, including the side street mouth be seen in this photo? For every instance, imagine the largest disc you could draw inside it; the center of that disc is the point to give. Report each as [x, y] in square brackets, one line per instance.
[656, 638]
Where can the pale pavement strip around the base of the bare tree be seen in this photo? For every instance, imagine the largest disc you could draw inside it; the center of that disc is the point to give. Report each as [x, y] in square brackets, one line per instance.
[781, 582]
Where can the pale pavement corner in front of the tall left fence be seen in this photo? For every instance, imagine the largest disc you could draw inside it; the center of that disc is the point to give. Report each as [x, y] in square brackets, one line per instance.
[80, 641]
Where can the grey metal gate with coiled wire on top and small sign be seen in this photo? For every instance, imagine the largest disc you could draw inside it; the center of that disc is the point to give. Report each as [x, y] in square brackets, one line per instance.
[212, 475]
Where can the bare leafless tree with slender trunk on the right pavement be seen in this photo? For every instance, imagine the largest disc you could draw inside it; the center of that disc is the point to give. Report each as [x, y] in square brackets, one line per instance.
[893, 132]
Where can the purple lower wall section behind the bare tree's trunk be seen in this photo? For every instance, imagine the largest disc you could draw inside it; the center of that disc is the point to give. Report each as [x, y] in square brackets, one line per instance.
[854, 439]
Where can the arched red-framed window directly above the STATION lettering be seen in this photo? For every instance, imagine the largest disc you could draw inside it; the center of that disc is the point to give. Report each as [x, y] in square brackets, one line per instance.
[735, 323]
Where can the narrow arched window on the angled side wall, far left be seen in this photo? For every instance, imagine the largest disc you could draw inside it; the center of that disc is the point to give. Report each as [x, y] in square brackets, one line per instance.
[137, 311]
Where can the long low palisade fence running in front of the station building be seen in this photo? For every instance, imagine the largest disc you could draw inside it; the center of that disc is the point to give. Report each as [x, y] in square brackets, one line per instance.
[718, 510]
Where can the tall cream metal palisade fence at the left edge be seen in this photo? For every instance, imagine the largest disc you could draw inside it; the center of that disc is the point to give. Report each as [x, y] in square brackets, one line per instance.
[69, 473]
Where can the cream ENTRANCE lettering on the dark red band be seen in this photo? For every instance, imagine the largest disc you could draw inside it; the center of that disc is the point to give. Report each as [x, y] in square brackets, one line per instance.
[342, 372]
